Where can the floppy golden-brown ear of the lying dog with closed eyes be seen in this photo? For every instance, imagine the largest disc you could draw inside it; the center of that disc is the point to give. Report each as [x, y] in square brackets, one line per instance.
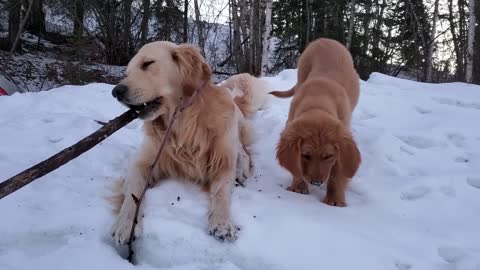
[194, 70]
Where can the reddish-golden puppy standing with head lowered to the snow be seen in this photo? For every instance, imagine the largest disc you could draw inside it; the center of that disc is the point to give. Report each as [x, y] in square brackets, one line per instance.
[316, 145]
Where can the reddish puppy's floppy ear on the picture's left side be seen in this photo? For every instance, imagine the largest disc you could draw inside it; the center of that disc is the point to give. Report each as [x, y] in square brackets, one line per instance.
[288, 151]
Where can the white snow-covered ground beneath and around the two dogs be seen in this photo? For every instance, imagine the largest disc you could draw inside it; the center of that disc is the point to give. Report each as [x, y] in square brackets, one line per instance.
[415, 203]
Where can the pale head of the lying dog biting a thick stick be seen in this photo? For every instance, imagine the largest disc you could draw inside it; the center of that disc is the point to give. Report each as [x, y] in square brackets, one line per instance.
[159, 76]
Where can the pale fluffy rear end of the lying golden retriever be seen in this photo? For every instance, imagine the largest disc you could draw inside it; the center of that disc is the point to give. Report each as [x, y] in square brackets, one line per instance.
[249, 93]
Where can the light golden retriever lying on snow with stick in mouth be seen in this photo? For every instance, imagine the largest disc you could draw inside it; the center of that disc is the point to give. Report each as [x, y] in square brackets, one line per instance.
[209, 140]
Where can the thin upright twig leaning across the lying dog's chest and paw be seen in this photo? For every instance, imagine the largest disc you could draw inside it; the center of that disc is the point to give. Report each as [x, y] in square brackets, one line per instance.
[138, 201]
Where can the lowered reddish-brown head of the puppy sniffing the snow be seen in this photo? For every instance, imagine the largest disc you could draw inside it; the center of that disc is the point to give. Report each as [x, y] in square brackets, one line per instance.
[313, 149]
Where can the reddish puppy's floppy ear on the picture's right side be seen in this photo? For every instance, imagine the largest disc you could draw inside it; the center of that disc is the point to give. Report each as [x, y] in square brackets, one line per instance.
[349, 157]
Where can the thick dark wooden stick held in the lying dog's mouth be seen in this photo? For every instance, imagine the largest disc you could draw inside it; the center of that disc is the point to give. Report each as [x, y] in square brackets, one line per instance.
[54, 162]
